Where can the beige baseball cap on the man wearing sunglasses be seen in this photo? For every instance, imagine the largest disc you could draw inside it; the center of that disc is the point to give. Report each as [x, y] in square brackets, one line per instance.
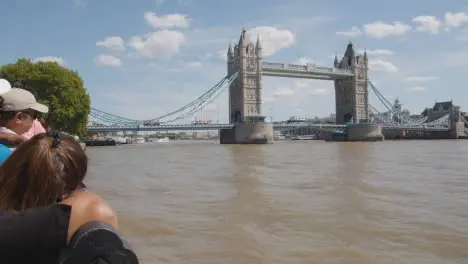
[18, 100]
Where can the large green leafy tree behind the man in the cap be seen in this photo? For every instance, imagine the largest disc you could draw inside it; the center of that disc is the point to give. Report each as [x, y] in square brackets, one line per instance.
[55, 86]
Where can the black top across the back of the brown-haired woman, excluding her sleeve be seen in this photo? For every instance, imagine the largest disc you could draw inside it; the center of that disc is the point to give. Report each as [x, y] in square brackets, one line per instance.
[34, 236]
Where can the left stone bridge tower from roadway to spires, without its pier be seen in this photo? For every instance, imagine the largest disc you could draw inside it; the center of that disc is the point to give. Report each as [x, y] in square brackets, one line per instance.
[245, 93]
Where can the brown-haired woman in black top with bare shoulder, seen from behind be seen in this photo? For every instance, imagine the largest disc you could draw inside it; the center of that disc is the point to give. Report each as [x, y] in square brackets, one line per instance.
[49, 169]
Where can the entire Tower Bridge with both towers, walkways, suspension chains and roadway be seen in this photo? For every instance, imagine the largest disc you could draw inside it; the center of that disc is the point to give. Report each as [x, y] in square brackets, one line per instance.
[244, 82]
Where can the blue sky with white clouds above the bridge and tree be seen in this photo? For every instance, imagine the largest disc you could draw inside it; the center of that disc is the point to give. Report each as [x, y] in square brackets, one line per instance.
[142, 58]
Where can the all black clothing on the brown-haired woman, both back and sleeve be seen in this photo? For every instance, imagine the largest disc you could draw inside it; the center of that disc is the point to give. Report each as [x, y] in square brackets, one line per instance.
[39, 235]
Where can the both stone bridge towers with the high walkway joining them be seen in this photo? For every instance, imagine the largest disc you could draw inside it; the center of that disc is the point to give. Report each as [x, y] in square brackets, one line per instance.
[350, 76]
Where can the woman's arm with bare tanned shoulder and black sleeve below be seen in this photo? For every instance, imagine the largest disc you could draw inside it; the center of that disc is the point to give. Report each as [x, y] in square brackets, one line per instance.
[93, 235]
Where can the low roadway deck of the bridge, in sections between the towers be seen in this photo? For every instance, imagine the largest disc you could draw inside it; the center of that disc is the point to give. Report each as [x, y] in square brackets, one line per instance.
[221, 126]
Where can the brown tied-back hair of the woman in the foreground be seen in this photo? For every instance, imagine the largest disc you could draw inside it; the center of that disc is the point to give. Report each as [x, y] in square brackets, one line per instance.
[41, 171]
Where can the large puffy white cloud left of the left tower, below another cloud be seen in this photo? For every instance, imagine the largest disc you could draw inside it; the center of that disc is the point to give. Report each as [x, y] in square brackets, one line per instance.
[161, 44]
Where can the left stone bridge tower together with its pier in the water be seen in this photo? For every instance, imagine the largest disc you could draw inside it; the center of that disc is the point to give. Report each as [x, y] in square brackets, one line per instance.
[245, 95]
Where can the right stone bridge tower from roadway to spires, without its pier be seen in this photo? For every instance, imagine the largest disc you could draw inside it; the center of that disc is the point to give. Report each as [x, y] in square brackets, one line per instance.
[351, 95]
